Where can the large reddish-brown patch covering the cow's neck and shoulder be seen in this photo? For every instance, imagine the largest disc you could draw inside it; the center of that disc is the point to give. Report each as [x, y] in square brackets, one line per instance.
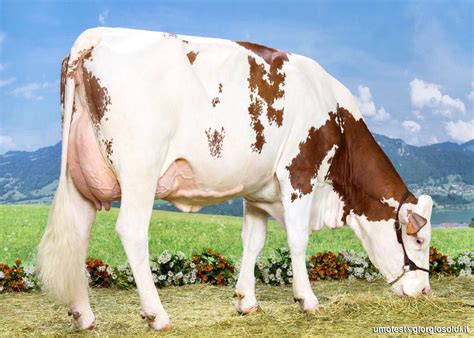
[359, 172]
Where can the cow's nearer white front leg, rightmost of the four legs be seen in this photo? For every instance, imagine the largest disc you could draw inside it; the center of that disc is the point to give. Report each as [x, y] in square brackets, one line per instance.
[297, 227]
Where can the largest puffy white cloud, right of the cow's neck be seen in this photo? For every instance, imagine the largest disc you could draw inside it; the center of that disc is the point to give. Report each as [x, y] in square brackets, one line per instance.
[428, 95]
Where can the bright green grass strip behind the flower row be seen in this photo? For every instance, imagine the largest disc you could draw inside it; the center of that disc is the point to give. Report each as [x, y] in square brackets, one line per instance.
[21, 227]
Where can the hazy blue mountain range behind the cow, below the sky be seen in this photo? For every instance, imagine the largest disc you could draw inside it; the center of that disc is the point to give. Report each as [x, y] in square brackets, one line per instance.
[443, 170]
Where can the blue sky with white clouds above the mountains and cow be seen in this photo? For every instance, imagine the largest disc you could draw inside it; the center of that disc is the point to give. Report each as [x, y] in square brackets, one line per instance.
[410, 64]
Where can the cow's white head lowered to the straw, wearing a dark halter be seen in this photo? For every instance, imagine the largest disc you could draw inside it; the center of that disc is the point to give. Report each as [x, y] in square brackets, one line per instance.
[380, 240]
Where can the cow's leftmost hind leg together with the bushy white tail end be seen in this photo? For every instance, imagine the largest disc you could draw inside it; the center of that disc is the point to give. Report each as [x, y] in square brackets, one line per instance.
[63, 248]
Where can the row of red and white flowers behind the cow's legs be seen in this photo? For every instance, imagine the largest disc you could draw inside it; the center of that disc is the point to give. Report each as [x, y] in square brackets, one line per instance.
[211, 267]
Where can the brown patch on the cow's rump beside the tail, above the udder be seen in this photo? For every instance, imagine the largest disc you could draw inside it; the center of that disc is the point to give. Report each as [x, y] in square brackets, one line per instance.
[98, 98]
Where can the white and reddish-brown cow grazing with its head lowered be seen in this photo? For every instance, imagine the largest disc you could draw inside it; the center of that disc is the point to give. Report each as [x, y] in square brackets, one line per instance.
[195, 121]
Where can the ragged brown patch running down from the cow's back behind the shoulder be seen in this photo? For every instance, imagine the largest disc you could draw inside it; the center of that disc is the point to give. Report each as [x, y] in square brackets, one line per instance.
[265, 88]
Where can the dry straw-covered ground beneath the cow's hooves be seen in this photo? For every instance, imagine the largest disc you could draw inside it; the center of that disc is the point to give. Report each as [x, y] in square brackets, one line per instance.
[352, 308]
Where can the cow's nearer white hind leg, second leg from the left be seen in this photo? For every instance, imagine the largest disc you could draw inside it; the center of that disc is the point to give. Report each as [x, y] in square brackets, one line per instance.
[132, 228]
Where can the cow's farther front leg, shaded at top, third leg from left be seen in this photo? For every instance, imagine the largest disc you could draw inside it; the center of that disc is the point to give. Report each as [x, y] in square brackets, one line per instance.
[253, 239]
